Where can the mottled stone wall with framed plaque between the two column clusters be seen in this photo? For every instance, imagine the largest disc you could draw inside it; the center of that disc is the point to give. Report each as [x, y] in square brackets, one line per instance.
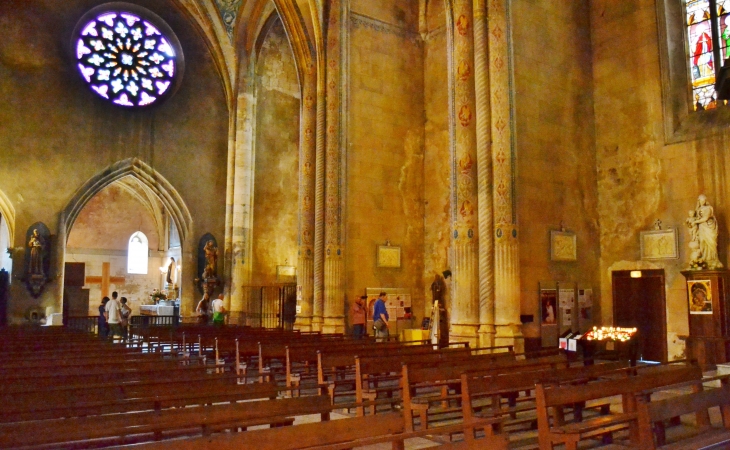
[384, 148]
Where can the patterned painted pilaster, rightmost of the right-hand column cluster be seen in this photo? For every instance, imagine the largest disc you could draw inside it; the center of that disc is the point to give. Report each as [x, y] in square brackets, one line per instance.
[506, 264]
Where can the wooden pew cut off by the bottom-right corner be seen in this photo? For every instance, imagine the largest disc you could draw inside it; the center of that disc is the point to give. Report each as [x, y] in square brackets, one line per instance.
[652, 415]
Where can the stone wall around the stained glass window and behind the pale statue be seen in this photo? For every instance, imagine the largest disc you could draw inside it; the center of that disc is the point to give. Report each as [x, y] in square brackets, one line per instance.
[640, 178]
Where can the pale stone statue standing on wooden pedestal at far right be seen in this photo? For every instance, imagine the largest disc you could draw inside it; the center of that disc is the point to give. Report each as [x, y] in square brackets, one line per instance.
[703, 231]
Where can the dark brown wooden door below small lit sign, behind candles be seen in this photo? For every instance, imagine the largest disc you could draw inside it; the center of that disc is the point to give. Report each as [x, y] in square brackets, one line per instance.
[641, 303]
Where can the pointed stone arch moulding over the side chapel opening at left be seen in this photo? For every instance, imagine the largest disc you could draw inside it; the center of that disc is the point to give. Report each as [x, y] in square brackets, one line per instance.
[147, 177]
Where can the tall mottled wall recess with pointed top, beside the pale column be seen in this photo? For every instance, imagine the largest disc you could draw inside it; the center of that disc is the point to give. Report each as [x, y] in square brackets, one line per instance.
[277, 158]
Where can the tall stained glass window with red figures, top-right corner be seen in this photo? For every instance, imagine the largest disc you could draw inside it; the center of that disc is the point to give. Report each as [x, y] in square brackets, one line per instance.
[708, 42]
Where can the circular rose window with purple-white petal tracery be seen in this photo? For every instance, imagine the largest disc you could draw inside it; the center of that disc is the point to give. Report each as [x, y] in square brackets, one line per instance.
[127, 55]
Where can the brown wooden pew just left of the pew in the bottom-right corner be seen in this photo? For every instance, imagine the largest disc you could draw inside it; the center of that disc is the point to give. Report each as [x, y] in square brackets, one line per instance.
[552, 400]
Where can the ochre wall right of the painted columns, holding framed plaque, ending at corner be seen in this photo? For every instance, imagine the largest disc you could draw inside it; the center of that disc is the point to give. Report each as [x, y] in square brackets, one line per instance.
[554, 138]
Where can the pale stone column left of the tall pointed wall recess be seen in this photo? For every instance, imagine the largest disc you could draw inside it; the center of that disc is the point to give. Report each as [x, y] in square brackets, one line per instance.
[242, 198]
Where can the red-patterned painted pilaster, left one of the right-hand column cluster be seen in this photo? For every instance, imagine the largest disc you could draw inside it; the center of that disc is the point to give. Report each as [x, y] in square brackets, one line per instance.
[464, 242]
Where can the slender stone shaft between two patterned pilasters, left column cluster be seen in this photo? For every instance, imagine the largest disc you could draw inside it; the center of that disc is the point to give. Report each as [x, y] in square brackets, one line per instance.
[318, 301]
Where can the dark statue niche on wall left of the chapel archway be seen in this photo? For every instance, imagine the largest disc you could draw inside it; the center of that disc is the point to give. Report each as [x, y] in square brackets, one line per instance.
[37, 257]
